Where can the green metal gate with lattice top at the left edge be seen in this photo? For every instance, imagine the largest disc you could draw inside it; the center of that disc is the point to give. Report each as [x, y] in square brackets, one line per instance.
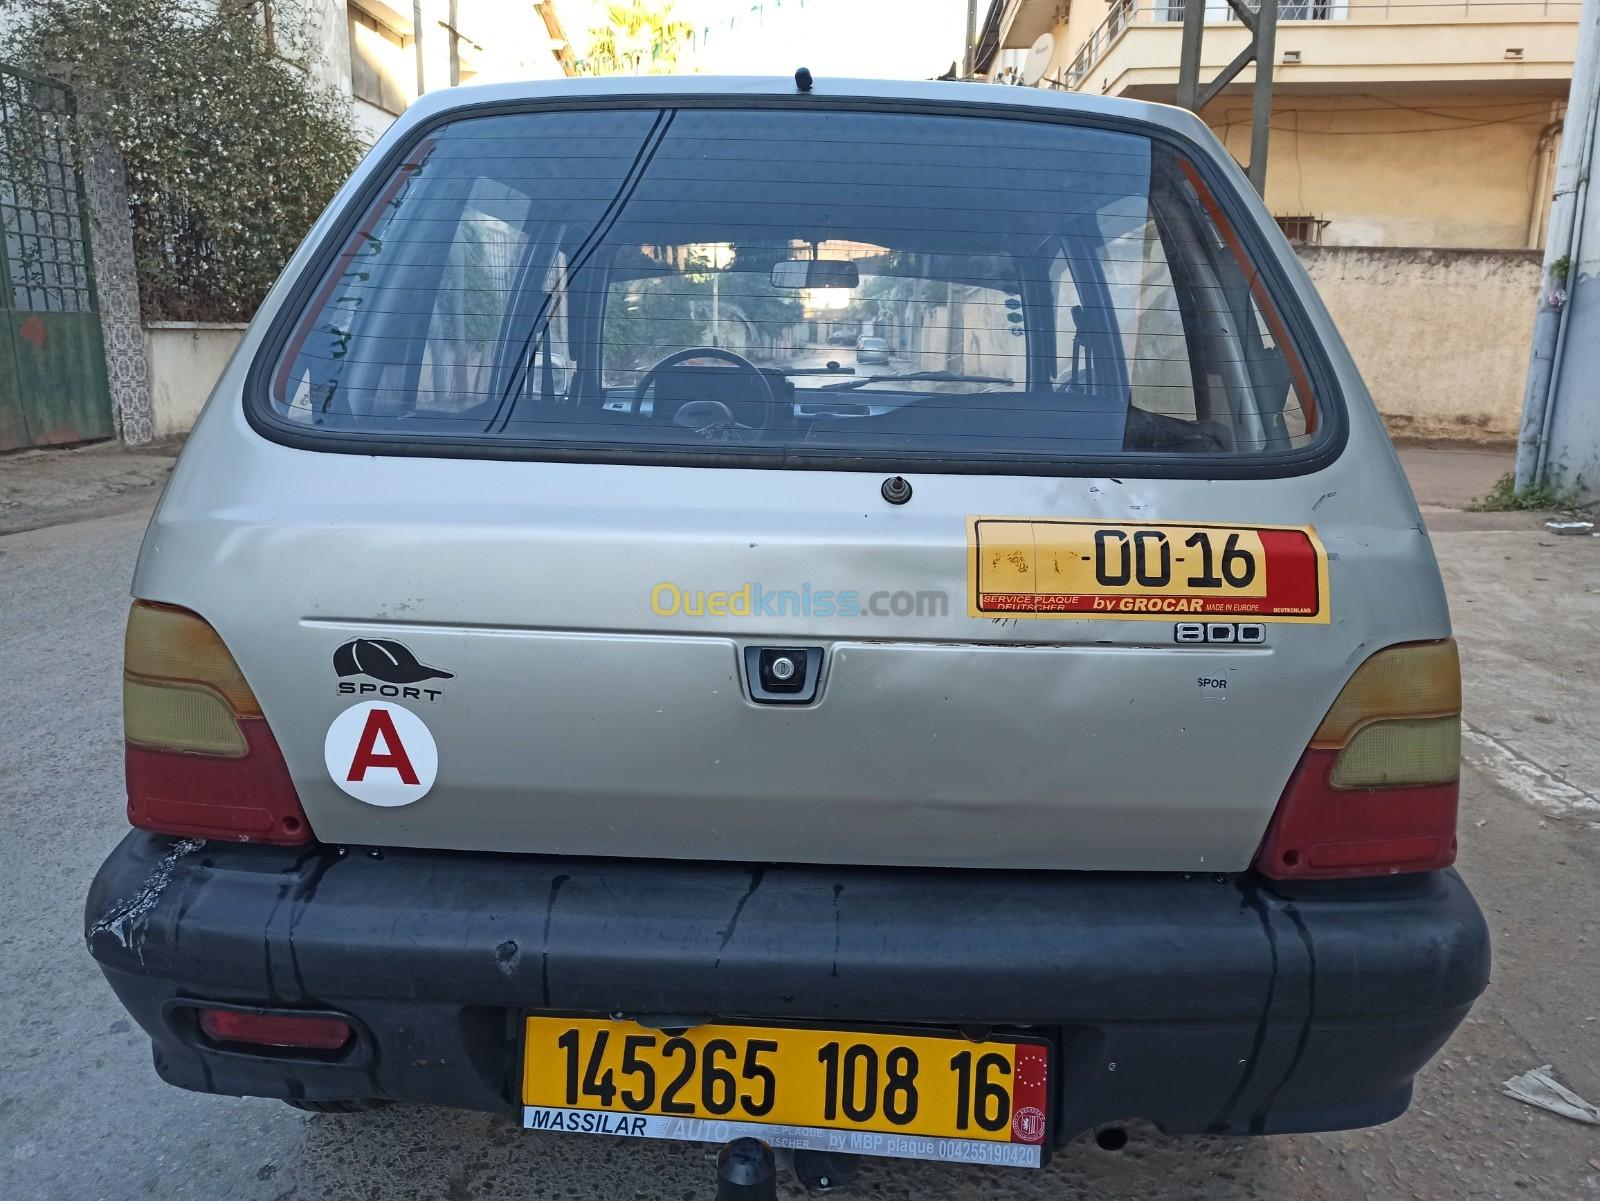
[52, 357]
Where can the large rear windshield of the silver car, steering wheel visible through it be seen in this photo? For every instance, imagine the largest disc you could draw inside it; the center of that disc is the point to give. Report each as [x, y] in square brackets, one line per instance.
[790, 287]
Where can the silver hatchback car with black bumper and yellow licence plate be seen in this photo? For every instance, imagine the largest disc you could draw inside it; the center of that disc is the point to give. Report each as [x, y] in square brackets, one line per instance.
[559, 687]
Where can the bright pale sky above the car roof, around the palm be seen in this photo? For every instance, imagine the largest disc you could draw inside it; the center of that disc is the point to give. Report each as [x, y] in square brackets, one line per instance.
[873, 39]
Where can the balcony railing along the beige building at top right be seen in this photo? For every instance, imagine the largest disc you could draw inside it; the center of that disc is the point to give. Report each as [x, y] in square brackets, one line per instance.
[1130, 14]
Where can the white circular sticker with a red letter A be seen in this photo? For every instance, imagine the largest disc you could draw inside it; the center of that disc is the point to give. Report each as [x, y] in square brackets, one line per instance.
[382, 754]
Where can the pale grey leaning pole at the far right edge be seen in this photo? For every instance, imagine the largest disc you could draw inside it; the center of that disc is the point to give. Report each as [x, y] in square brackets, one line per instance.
[1559, 444]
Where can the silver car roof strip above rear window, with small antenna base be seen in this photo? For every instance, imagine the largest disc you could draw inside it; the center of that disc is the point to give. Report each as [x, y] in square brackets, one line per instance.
[660, 89]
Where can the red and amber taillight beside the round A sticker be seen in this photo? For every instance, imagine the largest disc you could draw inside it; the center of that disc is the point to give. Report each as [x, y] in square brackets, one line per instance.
[201, 759]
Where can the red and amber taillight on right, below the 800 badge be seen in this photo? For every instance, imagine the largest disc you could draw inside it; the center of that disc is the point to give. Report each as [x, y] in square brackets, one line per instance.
[1377, 791]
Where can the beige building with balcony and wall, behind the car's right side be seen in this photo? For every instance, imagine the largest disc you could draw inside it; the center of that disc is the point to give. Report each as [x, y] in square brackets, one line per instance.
[1412, 159]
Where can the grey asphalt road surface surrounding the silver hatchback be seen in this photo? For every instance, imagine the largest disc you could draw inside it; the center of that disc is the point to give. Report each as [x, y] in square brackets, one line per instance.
[84, 1115]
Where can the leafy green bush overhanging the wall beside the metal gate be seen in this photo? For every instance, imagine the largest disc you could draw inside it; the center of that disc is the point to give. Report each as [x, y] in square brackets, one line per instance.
[230, 148]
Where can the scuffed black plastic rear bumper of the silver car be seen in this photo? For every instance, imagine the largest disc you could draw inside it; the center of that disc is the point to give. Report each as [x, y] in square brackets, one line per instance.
[1201, 1003]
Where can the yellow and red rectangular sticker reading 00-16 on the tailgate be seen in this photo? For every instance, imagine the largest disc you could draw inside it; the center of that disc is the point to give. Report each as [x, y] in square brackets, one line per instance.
[1023, 567]
